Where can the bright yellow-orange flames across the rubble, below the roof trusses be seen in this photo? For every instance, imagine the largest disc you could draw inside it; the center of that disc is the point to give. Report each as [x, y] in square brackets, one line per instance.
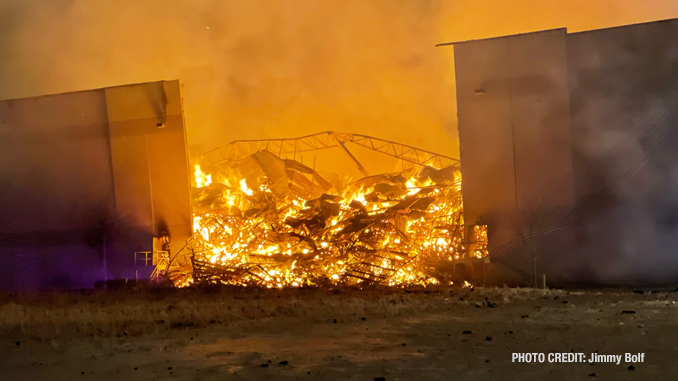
[258, 242]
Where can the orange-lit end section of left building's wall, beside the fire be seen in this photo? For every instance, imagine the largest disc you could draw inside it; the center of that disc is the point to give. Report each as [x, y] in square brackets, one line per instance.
[149, 158]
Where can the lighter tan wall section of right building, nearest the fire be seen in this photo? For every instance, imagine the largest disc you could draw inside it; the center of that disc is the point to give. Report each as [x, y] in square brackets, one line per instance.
[515, 143]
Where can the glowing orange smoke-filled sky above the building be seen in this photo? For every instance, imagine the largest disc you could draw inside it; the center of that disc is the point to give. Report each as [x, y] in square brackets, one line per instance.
[258, 69]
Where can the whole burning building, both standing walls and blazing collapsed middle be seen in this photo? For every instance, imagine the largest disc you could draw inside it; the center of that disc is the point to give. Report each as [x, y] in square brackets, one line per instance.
[568, 157]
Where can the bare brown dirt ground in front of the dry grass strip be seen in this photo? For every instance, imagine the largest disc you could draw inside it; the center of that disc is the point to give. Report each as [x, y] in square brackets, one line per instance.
[466, 336]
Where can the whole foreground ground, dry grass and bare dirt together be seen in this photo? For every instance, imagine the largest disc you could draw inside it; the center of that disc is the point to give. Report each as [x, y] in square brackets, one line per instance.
[346, 334]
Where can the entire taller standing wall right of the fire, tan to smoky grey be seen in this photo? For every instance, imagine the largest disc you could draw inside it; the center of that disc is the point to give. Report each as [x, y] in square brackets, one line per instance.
[568, 150]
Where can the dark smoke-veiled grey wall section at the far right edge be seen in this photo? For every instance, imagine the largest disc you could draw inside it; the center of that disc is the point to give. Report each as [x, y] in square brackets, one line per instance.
[624, 117]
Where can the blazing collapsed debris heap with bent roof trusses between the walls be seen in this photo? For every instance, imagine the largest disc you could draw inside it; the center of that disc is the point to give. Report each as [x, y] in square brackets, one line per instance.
[263, 218]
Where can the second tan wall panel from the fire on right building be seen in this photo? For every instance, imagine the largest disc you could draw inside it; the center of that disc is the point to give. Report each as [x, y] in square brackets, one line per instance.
[540, 120]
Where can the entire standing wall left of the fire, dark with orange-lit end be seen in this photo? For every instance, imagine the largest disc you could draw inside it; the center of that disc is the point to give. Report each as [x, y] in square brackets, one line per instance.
[88, 179]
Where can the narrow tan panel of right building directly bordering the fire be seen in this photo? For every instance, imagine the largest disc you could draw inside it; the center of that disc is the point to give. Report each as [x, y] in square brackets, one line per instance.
[486, 150]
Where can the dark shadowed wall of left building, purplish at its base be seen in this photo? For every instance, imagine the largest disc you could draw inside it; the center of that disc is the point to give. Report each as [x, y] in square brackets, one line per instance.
[56, 190]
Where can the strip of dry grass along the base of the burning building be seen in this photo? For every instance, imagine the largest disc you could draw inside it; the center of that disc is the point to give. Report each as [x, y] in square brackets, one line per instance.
[155, 310]
